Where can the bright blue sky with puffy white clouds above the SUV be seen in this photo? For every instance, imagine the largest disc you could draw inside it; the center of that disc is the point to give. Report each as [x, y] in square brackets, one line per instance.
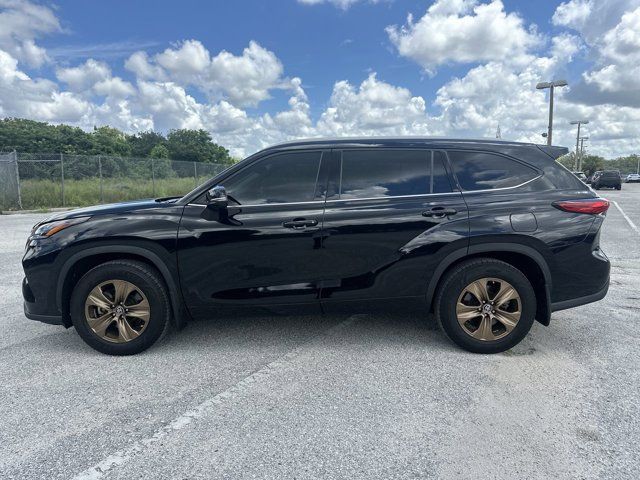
[257, 72]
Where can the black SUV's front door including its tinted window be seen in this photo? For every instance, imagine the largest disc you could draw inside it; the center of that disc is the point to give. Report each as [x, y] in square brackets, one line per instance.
[263, 249]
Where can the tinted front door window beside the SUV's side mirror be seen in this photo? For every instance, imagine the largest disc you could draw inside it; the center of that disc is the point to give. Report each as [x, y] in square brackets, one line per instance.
[281, 178]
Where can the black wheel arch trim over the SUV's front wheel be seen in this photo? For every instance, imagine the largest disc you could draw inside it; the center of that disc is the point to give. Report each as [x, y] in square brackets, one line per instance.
[81, 262]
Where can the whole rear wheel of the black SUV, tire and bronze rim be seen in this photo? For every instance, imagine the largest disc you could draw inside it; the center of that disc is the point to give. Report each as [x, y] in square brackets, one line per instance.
[485, 305]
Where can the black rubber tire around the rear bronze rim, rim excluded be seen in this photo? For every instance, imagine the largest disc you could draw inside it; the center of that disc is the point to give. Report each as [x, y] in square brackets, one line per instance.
[452, 286]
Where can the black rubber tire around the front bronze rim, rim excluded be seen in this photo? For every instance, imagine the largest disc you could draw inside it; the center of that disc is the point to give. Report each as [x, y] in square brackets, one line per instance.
[144, 277]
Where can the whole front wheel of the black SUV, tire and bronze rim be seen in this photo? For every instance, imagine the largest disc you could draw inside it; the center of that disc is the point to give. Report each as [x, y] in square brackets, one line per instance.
[120, 307]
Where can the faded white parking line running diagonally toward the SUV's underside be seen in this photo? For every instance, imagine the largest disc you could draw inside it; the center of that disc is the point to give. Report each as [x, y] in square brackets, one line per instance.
[123, 456]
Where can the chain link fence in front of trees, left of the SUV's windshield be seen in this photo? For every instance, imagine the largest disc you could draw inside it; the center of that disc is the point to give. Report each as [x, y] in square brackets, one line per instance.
[36, 180]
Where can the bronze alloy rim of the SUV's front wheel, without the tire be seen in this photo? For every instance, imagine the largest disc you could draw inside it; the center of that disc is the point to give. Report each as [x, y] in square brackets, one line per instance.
[117, 311]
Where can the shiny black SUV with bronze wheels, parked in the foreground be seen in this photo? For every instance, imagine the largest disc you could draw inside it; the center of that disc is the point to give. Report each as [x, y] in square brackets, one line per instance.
[488, 235]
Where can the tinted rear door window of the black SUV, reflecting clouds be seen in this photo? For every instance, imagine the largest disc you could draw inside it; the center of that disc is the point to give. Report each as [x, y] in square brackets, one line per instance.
[386, 173]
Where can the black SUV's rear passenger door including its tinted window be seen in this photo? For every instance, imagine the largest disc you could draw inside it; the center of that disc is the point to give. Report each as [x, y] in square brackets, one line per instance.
[391, 215]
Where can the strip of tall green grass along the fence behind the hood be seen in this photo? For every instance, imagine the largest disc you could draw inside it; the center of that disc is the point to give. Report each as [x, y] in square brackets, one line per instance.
[79, 193]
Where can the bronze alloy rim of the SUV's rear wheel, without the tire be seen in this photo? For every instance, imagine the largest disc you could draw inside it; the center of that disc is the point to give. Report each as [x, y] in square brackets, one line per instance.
[488, 309]
